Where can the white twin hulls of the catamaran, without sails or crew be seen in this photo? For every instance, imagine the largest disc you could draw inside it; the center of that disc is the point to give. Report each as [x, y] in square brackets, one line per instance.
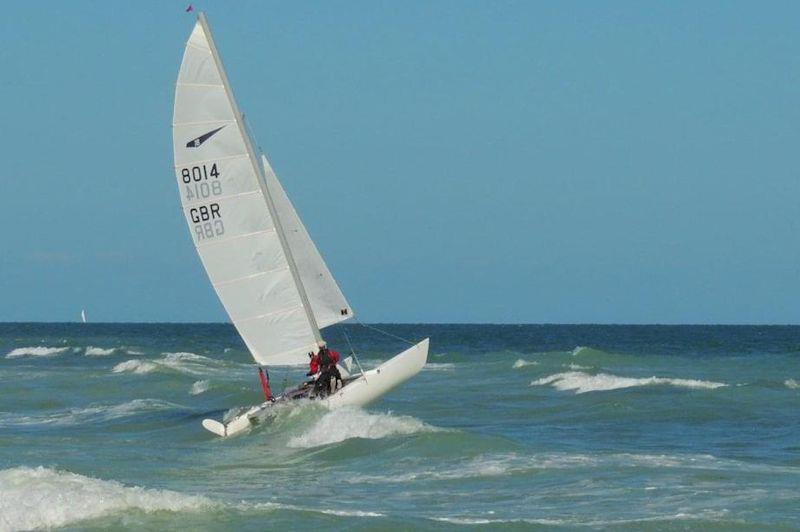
[364, 390]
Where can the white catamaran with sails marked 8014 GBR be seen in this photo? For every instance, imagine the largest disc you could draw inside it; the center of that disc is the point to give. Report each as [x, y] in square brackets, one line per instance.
[261, 261]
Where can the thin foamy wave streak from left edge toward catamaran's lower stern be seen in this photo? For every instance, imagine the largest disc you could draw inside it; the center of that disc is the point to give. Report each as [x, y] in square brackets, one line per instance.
[90, 414]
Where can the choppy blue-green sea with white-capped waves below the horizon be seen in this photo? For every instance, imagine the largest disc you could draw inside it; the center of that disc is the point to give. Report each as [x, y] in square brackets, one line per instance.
[508, 427]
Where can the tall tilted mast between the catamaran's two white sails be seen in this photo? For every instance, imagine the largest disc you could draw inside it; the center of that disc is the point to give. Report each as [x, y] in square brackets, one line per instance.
[262, 181]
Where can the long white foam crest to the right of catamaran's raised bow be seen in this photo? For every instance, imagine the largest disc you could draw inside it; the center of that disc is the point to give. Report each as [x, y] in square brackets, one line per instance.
[582, 382]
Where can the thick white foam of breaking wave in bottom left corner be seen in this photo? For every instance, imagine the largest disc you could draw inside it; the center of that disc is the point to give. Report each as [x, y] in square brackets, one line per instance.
[44, 498]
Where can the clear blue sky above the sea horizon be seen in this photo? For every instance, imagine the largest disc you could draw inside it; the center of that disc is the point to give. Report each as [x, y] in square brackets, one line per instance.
[619, 162]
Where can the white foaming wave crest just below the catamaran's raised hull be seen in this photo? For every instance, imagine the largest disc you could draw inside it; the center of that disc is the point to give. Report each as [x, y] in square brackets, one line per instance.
[345, 423]
